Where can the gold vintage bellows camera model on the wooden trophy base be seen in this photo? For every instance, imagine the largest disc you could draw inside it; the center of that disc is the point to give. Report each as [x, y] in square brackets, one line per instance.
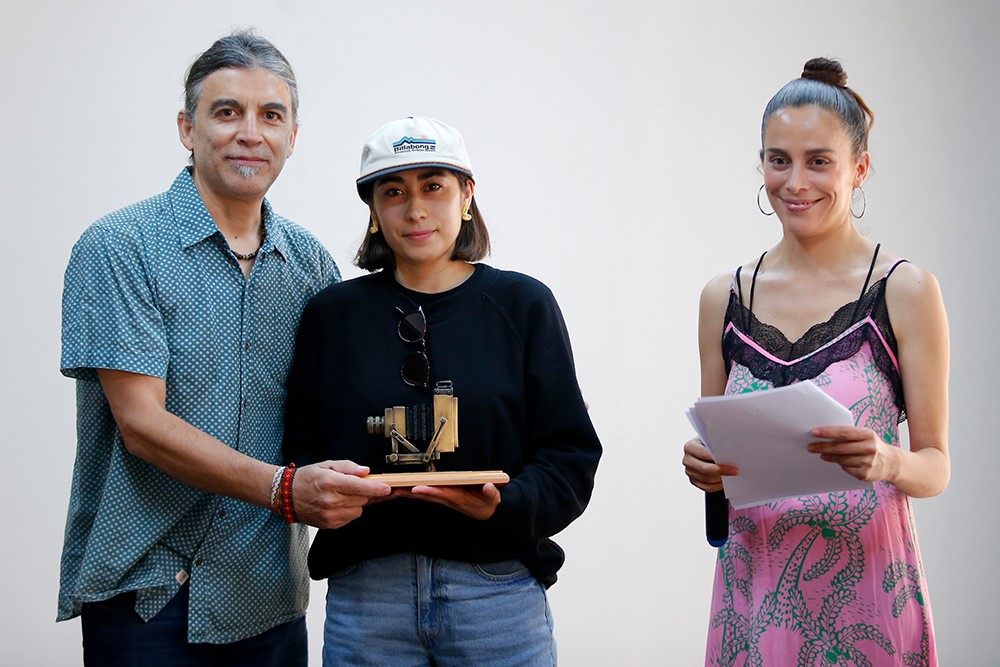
[436, 425]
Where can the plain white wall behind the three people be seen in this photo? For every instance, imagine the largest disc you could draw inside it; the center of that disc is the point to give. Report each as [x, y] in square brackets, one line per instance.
[615, 151]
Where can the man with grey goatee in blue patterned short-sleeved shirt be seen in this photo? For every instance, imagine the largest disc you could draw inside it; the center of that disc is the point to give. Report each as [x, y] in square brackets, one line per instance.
[179, 315]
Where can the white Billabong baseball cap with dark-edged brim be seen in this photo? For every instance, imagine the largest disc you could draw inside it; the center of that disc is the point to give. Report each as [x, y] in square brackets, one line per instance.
[410, 143]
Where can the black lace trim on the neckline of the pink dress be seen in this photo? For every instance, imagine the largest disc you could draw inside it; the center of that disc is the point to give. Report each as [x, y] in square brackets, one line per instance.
[812, 360]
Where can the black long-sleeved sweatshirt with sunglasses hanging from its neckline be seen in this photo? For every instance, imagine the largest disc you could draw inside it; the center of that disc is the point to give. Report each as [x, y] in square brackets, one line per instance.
[501, 340]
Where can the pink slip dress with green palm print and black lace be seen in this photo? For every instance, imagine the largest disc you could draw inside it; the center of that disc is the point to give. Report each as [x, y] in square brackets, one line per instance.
[833, 578]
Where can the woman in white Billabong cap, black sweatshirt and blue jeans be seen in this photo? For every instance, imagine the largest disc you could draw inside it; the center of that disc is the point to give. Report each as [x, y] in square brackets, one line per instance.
[443, 575]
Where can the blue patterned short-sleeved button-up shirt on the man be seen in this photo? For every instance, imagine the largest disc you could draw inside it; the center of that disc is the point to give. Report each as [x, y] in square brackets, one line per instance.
[153, 289]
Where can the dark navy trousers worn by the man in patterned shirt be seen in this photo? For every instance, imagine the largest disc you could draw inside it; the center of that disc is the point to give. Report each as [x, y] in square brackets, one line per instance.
[115, 636]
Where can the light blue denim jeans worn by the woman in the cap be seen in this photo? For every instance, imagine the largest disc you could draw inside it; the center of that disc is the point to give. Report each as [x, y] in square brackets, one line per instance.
[413, 610]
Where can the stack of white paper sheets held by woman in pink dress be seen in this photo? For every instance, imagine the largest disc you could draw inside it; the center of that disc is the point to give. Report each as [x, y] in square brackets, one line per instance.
[766, 434]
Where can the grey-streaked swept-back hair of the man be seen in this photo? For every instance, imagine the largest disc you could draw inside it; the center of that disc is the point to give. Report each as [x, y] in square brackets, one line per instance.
[239, 50]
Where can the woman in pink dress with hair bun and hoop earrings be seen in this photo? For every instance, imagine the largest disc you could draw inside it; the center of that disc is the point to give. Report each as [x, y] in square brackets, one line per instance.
[833, 577]
